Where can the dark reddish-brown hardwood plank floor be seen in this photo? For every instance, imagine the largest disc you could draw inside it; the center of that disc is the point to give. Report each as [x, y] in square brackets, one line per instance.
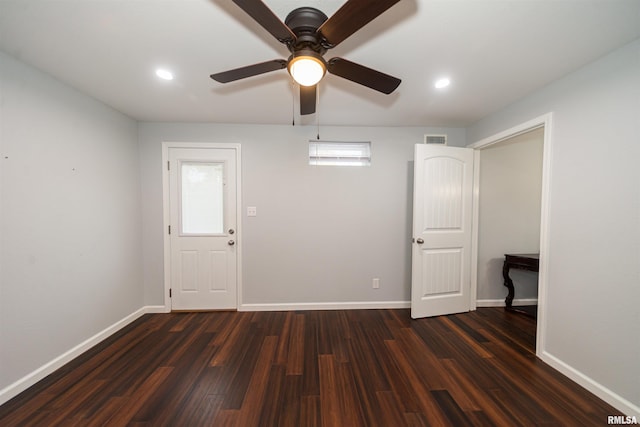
[311, 368]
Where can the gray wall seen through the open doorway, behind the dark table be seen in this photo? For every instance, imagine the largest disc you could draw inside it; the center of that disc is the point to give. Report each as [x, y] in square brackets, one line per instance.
[509, 221]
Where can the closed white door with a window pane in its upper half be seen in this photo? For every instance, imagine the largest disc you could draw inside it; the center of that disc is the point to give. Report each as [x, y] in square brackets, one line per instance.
[203, 228]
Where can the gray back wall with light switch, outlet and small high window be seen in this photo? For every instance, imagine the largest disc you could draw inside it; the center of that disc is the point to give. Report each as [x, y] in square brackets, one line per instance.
[322, 233]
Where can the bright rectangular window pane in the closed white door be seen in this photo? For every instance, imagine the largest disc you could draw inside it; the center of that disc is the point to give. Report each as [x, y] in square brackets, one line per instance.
[202, 194]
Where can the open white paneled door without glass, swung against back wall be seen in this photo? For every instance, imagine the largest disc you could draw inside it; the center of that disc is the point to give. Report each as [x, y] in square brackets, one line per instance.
[442, 230]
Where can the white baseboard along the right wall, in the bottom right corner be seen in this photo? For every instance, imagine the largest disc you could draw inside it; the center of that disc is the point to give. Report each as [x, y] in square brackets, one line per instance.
[613, 399]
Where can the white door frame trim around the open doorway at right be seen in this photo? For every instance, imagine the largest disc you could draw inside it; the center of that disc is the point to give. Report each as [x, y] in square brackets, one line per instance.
[544, 121]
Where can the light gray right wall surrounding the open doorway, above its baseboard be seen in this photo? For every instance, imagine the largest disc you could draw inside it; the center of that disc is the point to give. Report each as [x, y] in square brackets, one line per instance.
[592, 311]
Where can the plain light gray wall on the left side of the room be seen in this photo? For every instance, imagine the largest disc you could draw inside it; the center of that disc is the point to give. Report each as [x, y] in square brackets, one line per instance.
[70, 219]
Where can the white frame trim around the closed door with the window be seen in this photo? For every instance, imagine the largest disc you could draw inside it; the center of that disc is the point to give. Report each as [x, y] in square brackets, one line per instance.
[166, 213]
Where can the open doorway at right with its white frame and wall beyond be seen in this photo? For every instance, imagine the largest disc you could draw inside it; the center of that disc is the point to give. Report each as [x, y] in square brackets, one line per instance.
[511, 215]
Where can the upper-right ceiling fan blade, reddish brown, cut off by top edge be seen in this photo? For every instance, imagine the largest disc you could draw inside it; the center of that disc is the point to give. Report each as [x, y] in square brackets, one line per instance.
[352, 16]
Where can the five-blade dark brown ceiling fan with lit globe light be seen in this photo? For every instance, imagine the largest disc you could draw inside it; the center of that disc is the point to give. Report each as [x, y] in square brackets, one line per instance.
[308, 34]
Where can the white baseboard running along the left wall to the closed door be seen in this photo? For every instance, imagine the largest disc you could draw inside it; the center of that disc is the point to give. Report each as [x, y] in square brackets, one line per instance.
[28, 380]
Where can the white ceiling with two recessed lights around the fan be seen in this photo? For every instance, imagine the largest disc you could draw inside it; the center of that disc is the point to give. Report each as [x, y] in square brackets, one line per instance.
[495, 52]
